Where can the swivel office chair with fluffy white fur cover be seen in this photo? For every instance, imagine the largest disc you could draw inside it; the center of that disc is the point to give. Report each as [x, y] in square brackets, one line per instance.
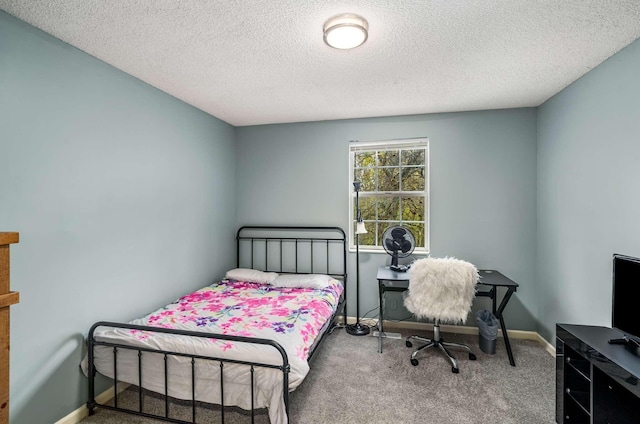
[441, 289]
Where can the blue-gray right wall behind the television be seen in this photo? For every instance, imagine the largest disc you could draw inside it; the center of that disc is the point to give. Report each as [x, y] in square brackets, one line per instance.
[588, 182]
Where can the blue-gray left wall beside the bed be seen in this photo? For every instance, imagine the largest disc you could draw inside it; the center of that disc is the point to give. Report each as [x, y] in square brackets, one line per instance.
[121, 195]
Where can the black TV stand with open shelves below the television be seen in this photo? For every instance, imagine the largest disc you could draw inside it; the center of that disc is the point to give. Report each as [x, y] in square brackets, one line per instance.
[597, 375]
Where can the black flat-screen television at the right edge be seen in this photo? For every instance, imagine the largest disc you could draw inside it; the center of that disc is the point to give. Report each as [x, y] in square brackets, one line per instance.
[626, 299]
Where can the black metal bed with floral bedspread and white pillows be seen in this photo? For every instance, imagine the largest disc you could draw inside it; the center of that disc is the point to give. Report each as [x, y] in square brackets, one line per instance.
[244, 341]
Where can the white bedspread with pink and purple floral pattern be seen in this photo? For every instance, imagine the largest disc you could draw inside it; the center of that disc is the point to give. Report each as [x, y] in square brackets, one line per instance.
[251, 310]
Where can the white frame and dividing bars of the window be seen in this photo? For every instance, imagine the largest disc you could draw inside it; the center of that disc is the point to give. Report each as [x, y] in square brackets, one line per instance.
[412, 143]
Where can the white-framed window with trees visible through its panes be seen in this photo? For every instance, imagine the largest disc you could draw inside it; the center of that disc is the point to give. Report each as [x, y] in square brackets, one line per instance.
[394, 191]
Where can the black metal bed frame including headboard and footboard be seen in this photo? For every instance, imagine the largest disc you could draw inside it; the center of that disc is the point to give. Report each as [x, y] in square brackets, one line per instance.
[261, 242]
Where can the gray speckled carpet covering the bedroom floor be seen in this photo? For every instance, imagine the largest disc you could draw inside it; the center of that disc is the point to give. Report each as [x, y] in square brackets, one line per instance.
[350, 382]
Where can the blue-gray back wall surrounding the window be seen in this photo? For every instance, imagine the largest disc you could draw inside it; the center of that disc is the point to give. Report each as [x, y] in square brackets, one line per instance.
[483, 190]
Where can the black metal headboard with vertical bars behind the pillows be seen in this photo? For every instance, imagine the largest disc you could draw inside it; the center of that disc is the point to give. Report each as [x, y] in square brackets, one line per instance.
[294, 250]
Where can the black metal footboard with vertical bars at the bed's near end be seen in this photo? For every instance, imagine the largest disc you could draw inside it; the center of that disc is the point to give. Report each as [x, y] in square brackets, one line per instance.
[92, 343]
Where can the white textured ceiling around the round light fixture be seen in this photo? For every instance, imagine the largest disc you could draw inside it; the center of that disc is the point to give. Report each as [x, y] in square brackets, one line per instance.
[253, 62]
